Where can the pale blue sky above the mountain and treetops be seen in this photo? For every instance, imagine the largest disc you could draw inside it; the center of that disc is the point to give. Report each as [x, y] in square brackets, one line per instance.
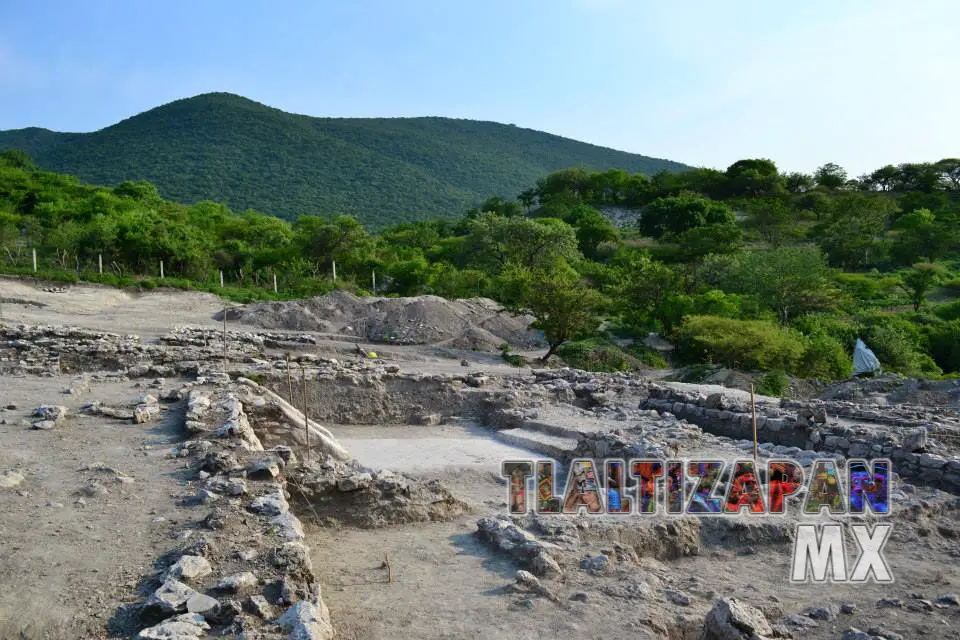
[861, 82]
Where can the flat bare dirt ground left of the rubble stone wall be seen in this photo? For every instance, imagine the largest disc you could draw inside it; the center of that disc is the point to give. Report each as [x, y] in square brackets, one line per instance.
[57, 580]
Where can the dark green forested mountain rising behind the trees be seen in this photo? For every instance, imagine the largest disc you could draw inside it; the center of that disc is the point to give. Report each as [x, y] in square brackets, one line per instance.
[224, 147]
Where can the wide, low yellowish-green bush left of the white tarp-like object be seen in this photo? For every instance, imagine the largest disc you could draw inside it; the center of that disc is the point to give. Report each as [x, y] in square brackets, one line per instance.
[739, 344]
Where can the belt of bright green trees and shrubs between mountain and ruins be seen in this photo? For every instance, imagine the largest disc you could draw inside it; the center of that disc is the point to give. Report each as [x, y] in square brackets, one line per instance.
[745, 267]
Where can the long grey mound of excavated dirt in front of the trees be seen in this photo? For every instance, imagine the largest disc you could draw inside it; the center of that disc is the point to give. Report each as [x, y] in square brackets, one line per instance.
[474, 323]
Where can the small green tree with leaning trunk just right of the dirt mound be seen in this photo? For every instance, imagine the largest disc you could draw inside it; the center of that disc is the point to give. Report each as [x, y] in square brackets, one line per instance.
[561, 303]
